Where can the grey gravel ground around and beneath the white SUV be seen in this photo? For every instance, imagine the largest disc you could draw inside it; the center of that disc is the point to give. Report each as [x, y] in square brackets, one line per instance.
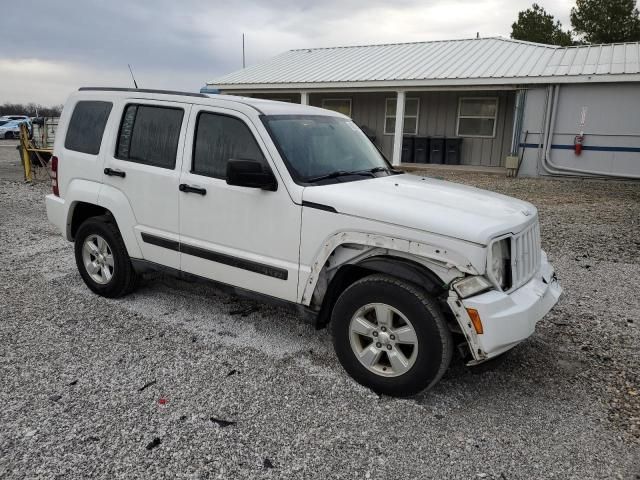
[180, 380]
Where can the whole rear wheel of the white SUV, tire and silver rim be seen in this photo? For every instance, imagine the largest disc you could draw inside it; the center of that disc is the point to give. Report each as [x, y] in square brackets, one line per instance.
[102, 258]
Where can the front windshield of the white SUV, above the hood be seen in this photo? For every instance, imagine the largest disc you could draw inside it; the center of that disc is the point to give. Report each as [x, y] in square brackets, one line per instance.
[315, 146]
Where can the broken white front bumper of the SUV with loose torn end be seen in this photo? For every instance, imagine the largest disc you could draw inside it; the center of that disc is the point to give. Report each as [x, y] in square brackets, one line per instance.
[507, 318]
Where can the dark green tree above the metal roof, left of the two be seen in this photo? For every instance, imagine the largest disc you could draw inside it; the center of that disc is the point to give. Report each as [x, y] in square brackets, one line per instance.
[536, 25]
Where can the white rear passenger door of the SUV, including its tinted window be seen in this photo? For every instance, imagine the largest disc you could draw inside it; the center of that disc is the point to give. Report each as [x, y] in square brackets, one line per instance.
[145, 166]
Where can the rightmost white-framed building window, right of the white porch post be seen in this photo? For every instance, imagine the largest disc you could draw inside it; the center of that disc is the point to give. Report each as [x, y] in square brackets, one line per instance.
[477, 117]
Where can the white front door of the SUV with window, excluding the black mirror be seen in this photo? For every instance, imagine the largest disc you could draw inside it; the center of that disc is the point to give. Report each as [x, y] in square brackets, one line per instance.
[241, 236]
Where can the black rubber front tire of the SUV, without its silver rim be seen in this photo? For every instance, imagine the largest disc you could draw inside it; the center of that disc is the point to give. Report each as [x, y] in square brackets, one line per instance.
[435, 344]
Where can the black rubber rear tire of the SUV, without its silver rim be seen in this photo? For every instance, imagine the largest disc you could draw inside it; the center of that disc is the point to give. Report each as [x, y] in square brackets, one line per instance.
[124, 277]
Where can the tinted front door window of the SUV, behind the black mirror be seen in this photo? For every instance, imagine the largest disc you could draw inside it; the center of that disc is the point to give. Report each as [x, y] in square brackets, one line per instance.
[218, 139]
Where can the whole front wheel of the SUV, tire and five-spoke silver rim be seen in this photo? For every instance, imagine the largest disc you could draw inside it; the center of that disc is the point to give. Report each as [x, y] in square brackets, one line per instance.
[390, 336]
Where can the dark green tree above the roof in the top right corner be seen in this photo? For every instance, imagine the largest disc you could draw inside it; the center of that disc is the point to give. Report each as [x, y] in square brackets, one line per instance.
[606, 21]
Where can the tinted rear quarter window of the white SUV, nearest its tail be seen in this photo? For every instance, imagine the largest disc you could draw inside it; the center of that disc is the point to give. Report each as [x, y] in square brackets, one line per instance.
[87, 126]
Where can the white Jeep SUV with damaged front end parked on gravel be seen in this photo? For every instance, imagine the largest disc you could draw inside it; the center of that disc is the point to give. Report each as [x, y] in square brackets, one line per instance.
[294, 204]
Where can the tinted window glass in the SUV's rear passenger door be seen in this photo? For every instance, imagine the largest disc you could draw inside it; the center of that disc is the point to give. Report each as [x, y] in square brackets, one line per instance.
[149, 135]
